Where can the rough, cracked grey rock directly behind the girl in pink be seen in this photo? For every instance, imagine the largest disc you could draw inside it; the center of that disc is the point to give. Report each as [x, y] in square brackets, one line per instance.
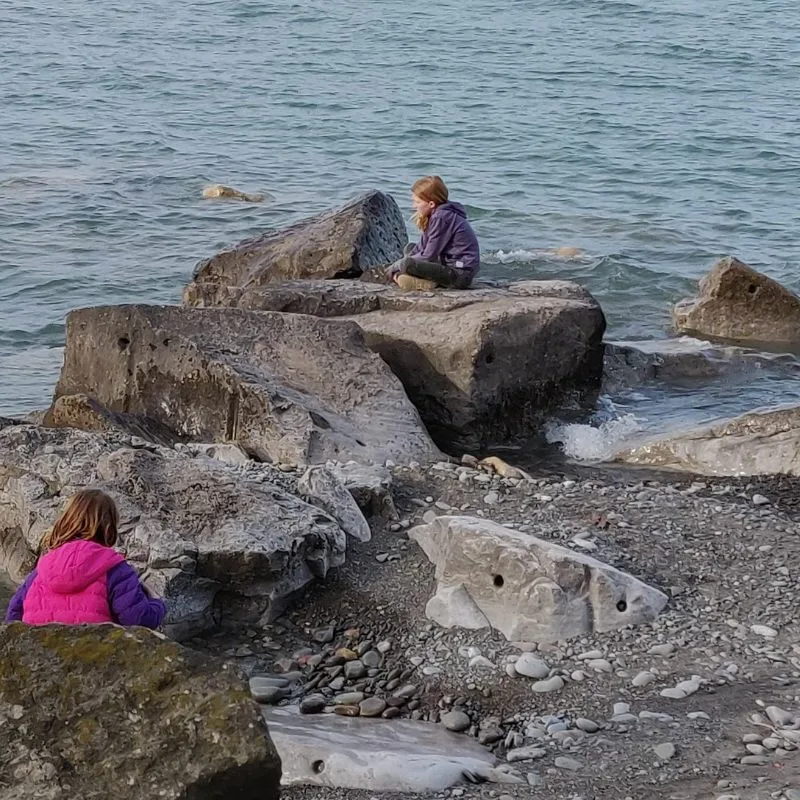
[214, 540]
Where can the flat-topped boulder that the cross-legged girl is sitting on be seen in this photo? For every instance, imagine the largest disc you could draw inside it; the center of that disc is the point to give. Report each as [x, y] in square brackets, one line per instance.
[482, 366]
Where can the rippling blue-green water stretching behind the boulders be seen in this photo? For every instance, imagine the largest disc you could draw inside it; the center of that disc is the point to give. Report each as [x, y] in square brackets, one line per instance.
[656, 136]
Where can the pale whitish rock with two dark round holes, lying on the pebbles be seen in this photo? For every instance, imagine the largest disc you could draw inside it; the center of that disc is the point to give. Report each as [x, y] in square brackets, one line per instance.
[527, 588]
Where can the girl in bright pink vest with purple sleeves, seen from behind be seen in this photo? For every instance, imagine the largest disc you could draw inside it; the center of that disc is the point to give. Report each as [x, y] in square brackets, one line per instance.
[80, 578]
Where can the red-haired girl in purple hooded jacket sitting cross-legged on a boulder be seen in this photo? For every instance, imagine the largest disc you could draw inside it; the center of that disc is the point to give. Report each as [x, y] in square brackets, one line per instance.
[448, 254]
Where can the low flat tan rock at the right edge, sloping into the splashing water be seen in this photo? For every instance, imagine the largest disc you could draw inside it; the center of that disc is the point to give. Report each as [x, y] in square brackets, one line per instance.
[759, 443]
